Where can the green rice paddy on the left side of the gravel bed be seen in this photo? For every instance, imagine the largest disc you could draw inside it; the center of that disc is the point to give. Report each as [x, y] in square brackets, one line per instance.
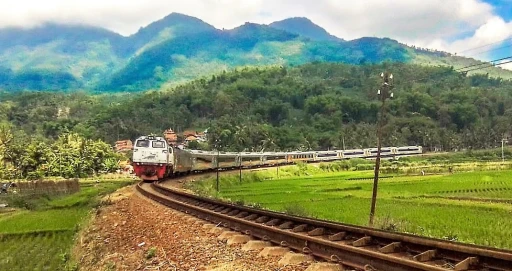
[40, 235]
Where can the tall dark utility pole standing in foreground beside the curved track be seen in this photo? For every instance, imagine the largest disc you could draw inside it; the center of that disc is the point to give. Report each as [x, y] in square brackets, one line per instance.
[384, 93]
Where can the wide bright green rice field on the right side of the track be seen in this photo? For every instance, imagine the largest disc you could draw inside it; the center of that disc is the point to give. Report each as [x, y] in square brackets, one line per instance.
[451, 206]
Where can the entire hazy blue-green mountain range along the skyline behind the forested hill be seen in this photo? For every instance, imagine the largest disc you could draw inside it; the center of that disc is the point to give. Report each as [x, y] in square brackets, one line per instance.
[179, 48]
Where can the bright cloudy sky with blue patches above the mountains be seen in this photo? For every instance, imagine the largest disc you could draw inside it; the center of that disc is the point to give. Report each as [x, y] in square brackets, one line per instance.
[449, 25]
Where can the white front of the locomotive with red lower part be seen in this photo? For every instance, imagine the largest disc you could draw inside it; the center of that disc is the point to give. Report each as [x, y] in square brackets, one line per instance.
[152, 159]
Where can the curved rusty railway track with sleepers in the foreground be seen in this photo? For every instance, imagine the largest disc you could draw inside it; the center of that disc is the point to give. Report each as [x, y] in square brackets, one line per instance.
[350, 246]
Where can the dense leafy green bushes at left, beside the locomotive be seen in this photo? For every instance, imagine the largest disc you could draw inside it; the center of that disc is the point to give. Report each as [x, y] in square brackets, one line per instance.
[69, 156]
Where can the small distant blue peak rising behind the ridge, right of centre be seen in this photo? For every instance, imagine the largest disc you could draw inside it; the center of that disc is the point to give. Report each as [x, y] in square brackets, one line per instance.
[304, 27]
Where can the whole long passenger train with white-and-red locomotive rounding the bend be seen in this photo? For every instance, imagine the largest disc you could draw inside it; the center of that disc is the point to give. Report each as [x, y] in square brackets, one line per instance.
[154, 159]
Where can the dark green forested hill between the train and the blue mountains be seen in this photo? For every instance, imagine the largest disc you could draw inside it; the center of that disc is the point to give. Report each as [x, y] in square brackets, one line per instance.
[314, 106]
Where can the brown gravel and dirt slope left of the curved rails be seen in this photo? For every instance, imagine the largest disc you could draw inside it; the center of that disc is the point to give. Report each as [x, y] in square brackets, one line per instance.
[134, 233]
